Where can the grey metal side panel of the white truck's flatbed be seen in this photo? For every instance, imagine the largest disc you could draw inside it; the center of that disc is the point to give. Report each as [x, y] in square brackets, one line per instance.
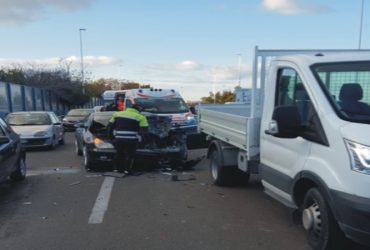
[226, 127]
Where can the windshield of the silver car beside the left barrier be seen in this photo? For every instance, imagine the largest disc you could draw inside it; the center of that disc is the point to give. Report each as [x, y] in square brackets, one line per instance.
[28, 119]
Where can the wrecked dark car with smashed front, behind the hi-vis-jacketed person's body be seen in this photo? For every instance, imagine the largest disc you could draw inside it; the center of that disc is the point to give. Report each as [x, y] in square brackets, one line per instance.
[162, 142]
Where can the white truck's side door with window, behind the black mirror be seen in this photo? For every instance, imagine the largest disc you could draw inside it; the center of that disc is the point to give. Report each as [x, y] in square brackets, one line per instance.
[282, 158]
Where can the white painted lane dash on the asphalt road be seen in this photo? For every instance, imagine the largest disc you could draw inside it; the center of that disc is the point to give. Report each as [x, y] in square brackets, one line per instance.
[102, 201]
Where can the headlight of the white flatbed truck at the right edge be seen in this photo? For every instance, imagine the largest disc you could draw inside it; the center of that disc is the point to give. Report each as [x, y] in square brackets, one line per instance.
[360, 156]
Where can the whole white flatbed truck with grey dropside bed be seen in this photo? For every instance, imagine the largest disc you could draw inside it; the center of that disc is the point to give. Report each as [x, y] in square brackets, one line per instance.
[309, 139]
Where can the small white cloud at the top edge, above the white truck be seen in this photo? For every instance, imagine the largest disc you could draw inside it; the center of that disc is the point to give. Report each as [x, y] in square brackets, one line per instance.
[293, 7]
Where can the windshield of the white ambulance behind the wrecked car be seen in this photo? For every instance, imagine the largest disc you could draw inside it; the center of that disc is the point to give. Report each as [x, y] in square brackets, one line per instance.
[163, 106]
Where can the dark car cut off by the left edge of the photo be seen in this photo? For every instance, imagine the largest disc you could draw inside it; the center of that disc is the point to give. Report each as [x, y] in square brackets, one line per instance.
[12, 154]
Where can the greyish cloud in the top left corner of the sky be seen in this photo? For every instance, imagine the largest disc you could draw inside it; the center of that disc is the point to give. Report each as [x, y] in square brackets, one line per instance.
[16, 12]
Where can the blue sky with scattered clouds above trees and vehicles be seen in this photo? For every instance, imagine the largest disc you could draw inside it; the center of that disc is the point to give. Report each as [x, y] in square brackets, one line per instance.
[189, 45]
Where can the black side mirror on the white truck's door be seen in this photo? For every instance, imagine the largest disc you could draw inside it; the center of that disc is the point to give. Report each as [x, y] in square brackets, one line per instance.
[286, 122]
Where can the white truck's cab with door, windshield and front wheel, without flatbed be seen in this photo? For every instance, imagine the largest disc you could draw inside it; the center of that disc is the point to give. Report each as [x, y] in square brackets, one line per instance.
[315, 118]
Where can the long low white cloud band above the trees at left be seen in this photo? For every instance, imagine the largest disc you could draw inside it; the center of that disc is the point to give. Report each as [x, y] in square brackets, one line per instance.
[89, 61]
